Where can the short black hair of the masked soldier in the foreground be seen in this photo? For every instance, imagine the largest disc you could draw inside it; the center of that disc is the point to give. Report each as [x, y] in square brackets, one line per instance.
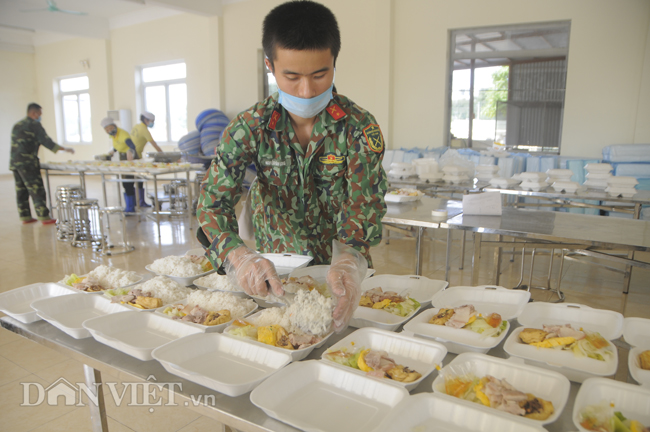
[300, 25]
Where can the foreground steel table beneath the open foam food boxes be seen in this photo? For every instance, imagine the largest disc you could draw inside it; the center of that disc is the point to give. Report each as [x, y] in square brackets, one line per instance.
[237, 412]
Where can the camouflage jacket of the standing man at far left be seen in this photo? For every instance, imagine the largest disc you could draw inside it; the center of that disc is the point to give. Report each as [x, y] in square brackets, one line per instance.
[26, 137]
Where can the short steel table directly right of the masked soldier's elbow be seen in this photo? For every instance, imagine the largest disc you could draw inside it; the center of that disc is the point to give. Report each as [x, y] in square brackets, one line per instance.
[418, 214]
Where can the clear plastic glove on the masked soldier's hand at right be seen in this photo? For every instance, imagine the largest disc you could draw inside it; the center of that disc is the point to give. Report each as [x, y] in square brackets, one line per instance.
[344, 278]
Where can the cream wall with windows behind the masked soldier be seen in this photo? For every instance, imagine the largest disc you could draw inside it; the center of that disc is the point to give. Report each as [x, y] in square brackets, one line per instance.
[393, 62]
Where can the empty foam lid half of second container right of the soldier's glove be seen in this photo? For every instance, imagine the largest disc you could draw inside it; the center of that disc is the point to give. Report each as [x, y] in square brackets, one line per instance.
[486, 299]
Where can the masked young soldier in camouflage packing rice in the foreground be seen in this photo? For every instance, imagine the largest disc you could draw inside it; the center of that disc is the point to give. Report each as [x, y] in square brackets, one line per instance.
[320, 183]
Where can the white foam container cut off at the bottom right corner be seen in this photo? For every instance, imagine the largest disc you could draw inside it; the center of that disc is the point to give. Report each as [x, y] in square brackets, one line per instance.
[631, 400]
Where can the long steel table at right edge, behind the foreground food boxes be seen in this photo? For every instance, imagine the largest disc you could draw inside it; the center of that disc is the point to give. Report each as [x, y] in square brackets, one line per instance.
[587, 235]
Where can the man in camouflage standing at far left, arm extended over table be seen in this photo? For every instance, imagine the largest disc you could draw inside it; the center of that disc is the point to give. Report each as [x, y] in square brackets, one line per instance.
[26, 137]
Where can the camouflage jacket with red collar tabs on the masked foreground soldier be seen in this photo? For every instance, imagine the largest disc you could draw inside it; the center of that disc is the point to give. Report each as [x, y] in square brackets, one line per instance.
[304, 199]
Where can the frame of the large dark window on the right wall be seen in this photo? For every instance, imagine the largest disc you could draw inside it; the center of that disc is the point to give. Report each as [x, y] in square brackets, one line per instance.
[508, 55]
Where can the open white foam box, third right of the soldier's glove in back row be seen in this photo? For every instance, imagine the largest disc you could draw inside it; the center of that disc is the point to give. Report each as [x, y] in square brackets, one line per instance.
[608, 323]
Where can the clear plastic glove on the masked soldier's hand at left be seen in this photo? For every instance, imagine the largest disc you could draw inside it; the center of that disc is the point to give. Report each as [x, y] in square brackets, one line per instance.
[253, 273]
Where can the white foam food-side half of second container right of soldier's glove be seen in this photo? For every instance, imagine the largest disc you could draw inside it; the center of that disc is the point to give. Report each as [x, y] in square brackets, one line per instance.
[456, 340]
